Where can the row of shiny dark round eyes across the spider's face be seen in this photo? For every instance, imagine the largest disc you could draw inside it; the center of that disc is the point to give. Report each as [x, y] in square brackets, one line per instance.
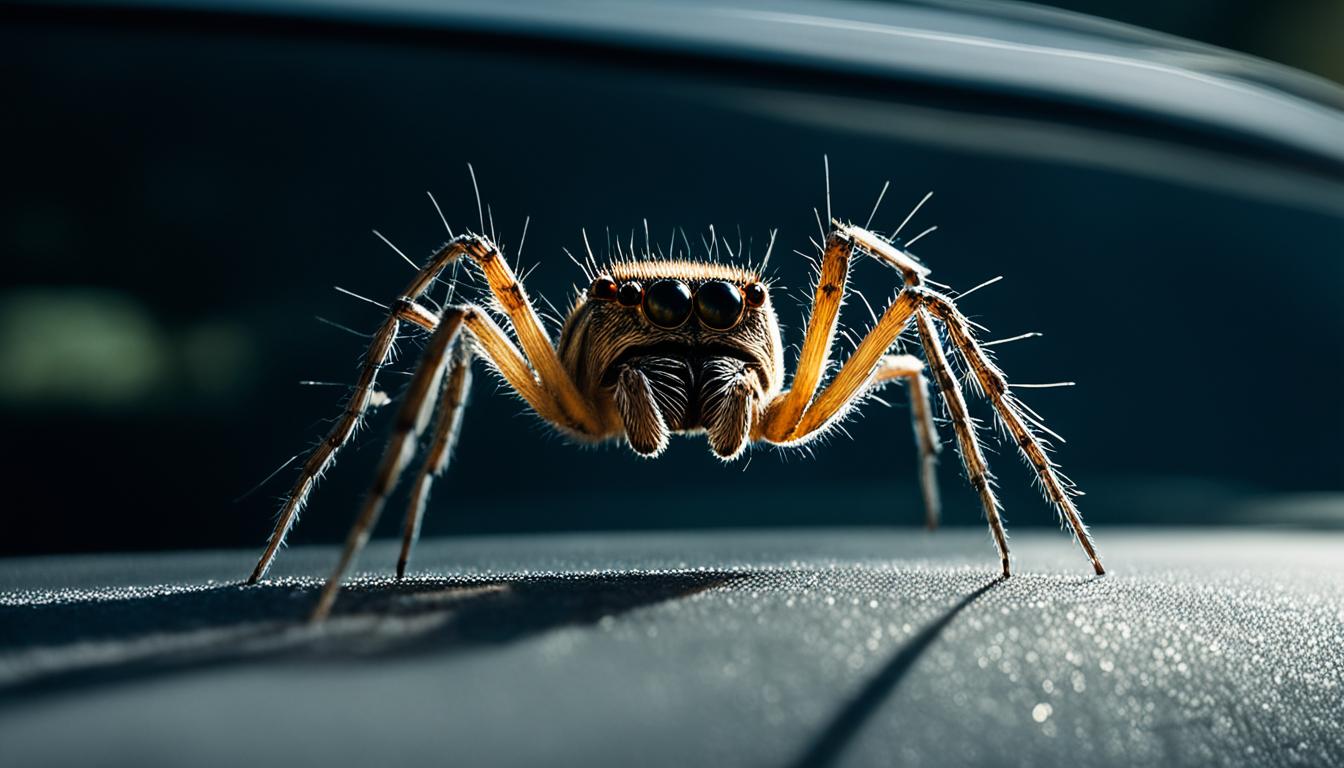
[669, 303]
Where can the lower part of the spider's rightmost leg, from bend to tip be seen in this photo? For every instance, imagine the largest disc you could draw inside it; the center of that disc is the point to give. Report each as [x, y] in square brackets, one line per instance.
[1011, 415]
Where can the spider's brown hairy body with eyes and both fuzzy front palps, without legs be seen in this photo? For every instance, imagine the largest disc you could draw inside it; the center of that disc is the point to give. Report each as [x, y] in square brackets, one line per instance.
[663, 348]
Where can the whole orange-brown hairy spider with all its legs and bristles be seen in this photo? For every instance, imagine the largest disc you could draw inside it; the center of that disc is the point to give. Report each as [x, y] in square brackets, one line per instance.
[662, 346]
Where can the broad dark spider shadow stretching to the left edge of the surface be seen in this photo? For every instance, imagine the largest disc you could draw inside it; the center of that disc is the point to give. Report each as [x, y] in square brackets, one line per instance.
[97, 642]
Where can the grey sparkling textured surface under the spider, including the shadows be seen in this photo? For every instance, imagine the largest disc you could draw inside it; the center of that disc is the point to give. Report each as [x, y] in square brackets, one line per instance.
[726, 649]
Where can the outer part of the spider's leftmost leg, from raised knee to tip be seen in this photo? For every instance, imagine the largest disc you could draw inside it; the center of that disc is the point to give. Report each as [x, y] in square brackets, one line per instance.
[380, 353]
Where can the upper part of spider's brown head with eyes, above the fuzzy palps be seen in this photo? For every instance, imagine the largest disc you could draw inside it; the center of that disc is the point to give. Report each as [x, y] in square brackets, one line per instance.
[674, 310]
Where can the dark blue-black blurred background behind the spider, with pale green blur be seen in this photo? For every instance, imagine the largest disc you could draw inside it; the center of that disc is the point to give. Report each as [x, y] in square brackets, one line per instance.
[181, 196]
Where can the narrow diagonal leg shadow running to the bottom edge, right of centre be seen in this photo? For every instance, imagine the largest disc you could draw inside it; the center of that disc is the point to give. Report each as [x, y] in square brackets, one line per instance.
[842, 730]
